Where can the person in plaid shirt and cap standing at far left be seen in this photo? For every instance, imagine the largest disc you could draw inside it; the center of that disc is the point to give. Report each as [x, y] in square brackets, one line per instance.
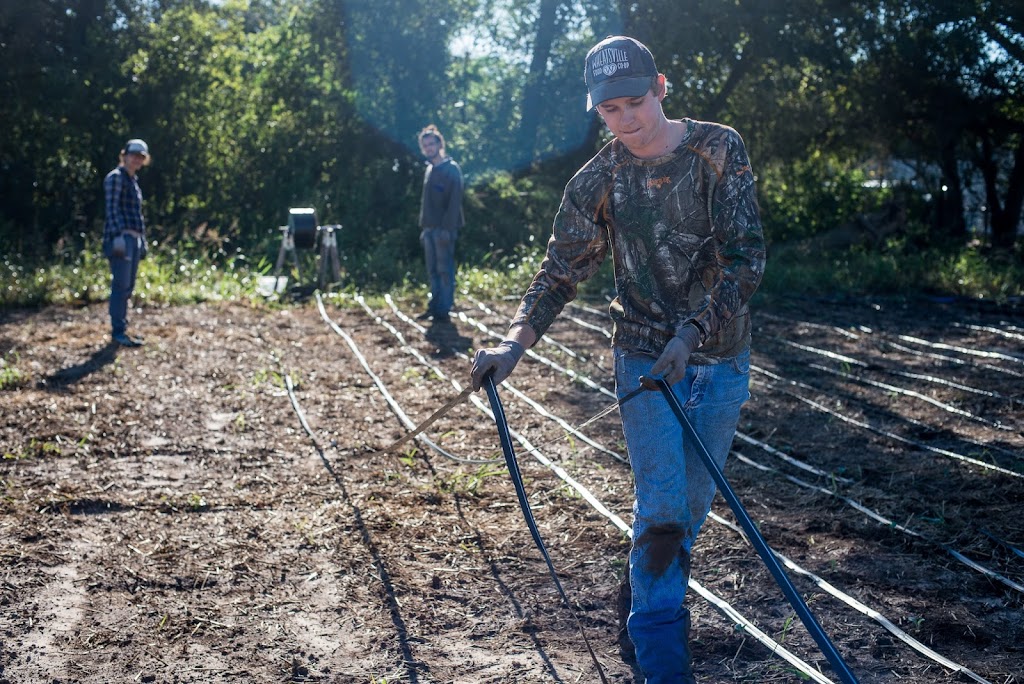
[124, 235]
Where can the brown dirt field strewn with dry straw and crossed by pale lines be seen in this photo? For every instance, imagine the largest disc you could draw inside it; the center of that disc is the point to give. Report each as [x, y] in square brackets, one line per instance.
[166, 517]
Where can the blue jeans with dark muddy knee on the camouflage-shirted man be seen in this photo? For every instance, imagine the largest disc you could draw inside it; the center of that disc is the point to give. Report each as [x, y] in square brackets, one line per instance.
[674, 493]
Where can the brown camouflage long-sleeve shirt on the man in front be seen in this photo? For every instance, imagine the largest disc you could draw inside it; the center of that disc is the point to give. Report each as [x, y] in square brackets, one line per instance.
[686, 237]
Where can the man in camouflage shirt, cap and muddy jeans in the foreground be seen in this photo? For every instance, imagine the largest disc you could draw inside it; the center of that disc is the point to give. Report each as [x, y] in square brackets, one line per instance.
[674, 203]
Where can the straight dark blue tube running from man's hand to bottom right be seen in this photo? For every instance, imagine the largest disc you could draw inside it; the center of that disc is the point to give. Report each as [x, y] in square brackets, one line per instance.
[752, 533]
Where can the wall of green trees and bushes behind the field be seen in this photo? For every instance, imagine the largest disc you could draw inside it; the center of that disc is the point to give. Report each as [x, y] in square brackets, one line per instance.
[253, 107]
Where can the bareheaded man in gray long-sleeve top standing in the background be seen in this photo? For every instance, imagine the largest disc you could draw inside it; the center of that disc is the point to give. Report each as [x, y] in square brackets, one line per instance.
[441, 220]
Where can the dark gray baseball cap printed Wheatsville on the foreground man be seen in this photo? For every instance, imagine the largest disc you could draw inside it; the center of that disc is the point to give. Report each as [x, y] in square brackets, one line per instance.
[618, 67]
